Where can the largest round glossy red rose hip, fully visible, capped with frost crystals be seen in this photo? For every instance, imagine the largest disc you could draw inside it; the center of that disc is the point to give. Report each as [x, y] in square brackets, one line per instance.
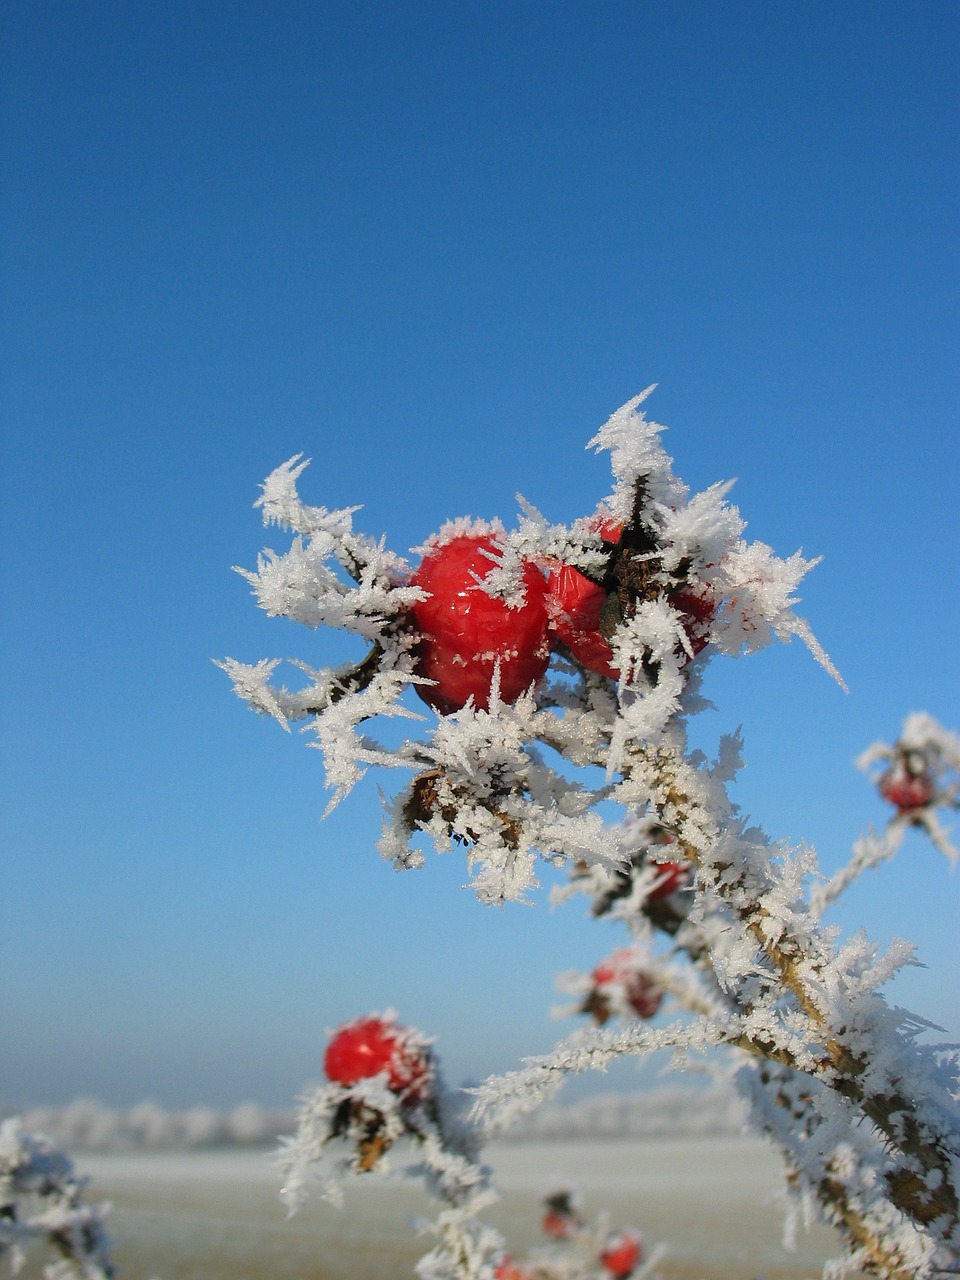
[465, 633]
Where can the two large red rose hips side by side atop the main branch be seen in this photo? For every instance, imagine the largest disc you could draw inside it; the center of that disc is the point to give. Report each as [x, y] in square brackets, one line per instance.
[470, 637]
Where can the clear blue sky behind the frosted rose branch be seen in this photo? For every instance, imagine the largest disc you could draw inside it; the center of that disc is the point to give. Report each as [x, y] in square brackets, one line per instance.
[433, 246]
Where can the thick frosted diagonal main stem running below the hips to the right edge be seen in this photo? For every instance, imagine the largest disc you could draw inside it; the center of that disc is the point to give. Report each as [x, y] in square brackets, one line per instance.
[835, 1027]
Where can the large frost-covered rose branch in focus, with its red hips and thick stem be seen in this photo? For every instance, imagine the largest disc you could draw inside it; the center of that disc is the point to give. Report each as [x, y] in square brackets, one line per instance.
[589, 641]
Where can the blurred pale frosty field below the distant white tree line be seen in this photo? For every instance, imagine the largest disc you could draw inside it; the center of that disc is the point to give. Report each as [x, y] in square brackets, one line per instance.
[217, 1217]
